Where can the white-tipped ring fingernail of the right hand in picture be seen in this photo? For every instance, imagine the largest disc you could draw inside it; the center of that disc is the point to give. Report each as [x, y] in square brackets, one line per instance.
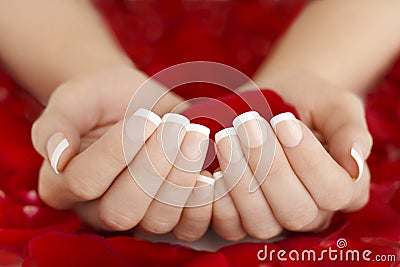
[229, 148]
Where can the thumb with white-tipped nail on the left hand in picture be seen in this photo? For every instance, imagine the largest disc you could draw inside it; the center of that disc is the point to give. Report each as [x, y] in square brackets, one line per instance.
[56, 133]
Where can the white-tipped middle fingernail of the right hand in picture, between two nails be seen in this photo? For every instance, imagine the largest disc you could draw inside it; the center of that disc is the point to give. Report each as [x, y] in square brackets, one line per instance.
[254, 132]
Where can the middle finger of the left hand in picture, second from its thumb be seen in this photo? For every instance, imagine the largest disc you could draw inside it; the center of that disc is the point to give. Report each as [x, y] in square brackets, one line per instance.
[125, 203]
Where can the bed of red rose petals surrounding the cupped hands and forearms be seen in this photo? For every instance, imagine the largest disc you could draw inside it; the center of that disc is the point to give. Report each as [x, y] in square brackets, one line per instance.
[157, 35]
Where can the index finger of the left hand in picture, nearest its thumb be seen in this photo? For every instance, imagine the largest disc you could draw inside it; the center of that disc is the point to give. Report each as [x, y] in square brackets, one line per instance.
[90, 173]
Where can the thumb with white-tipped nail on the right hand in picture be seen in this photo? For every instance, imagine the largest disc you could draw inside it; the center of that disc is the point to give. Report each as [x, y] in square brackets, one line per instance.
[346, 132]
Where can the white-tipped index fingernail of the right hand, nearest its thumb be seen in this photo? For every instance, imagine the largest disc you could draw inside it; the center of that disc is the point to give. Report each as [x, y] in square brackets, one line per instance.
[287, 128]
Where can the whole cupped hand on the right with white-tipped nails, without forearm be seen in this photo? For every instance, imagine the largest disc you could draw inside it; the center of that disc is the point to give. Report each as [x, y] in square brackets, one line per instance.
[309, 178]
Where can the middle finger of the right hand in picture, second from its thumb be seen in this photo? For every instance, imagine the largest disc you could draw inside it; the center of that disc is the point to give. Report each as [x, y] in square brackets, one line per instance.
[290, 202]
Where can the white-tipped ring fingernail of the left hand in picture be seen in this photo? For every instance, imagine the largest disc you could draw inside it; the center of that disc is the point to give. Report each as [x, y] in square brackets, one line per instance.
[195, 143]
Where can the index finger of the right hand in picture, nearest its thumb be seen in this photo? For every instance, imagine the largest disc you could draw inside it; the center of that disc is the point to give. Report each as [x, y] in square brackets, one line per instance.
[329, 184]
